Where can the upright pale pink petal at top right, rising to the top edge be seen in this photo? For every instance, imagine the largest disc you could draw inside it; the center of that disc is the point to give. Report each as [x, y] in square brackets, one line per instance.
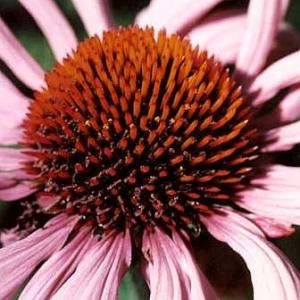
[263, 19]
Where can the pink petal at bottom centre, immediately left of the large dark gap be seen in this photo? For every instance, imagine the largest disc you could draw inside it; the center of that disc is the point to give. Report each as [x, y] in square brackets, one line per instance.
[179, 277]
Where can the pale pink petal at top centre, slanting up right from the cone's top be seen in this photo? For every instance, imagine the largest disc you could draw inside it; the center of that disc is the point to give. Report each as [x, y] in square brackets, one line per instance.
[174, 17]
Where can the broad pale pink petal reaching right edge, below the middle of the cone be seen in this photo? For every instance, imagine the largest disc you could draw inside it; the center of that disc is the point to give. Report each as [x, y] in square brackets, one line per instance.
[276, 196]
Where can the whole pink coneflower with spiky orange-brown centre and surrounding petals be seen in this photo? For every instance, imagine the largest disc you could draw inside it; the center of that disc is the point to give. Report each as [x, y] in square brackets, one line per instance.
[136, 141]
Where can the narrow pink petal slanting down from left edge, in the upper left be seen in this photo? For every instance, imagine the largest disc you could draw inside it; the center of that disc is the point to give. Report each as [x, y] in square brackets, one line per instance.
[19, 60]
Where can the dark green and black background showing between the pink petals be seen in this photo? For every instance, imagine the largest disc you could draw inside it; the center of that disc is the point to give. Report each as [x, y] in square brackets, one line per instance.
[219, 267]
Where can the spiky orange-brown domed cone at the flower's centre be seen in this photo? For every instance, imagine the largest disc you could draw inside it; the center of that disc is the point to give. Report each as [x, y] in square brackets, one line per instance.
[136, 131]
